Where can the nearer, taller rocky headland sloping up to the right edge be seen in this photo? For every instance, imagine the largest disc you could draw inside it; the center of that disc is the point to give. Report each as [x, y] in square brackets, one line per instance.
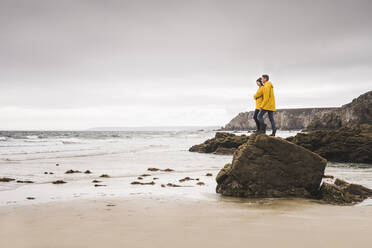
[359, 111]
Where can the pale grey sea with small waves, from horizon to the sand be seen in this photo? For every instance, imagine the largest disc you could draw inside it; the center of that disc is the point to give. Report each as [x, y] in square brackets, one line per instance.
[45, 156]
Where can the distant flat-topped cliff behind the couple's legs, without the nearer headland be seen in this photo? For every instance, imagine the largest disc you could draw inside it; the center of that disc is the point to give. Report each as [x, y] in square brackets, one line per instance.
[285, 119]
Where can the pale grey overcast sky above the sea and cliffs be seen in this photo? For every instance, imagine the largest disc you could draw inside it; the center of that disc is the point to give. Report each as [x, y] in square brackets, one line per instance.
[73, 64]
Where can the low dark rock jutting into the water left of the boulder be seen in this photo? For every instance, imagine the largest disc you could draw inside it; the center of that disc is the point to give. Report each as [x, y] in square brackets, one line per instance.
[222, 143]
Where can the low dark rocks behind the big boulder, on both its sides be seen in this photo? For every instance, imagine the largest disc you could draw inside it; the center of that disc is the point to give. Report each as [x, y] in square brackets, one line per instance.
[347, 144]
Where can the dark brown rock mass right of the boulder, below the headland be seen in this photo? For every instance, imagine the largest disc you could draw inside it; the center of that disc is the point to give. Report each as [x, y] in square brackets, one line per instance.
[347, 144]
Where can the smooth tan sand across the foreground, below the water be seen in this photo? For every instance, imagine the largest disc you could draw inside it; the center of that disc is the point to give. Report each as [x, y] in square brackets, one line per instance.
[164, 222]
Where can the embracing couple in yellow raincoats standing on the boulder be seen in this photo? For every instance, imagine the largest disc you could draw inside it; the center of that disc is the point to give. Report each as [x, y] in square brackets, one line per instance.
[265, 103]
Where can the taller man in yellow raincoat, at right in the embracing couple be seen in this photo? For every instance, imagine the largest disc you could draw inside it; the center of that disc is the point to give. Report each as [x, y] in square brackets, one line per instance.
[267, 105]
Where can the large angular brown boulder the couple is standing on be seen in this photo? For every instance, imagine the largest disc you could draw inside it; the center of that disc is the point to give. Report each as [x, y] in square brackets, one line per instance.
[271, 167]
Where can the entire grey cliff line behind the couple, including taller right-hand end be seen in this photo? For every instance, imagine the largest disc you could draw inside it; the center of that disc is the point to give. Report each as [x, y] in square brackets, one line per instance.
[359, 111]
